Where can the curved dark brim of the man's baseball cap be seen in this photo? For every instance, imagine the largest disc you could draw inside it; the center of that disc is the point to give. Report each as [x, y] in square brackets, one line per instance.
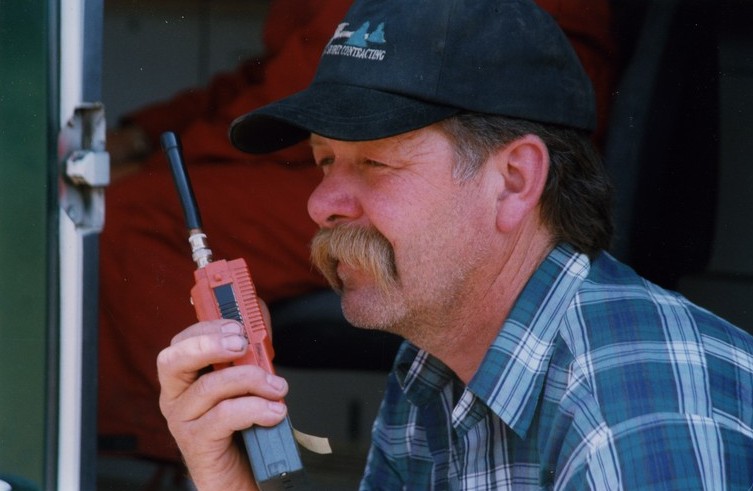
[341, 112]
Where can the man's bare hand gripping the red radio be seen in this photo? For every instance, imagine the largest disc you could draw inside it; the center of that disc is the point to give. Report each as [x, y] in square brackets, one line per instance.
[203, 411]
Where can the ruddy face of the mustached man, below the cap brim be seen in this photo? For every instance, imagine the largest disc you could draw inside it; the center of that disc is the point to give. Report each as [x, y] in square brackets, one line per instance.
[401, 238]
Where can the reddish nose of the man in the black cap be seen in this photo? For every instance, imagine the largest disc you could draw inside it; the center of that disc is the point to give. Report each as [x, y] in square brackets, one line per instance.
[334, 202]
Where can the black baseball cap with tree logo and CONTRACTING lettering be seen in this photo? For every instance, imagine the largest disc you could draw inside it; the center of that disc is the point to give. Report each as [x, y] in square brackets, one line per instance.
[394, 66]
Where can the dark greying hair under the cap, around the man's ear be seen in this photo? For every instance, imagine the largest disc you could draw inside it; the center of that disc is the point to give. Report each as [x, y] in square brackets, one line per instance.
[576, 204]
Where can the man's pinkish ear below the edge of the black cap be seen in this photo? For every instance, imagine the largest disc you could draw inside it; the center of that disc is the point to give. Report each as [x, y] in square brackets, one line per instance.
[523, 166]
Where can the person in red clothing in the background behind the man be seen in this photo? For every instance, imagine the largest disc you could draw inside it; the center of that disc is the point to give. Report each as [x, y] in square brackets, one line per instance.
[145, 267]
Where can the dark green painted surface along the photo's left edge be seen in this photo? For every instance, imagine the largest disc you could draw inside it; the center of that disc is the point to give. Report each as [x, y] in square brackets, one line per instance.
[23, 237]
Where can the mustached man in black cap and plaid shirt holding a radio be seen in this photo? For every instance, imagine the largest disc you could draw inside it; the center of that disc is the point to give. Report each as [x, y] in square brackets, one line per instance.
[462, 207]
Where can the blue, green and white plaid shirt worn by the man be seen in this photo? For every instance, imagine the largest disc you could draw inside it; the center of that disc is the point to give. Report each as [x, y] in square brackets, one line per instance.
[597, 380]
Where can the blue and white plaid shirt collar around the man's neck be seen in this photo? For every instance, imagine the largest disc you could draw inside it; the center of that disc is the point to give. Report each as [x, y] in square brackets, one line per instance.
[511, 376]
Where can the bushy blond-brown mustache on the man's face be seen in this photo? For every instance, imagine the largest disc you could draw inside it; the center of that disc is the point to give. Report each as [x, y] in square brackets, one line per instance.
[360, 248]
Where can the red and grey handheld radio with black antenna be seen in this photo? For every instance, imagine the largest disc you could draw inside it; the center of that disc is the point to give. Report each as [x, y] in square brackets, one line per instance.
[224, 290]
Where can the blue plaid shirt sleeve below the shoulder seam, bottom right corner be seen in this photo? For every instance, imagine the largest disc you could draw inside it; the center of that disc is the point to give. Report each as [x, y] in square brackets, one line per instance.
[662, 451]
